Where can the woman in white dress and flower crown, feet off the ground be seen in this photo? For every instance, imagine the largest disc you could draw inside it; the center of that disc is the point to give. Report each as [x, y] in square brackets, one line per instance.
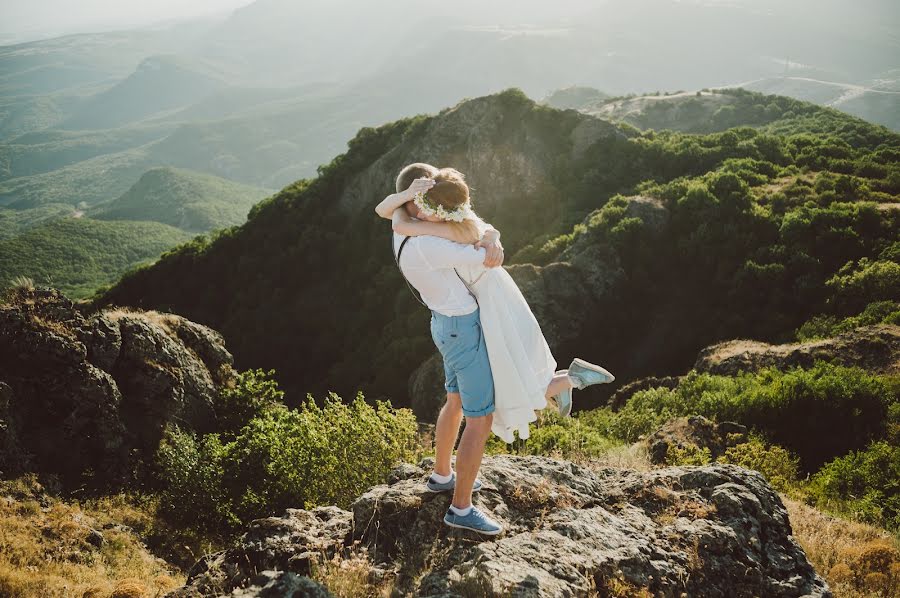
[523, 367]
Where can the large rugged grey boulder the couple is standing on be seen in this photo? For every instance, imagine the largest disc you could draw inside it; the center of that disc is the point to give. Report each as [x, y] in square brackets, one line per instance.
[713, 530]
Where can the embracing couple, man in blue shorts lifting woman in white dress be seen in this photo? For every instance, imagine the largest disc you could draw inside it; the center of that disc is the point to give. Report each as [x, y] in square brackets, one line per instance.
[498, 368]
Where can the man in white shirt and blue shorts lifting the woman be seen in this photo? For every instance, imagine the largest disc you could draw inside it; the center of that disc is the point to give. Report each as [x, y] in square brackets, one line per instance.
[428, 264]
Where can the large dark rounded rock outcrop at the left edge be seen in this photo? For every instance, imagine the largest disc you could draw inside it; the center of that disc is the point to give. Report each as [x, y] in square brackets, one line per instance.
[80, 394]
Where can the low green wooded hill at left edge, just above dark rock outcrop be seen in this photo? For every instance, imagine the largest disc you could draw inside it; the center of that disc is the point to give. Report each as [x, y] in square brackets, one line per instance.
[78, 255]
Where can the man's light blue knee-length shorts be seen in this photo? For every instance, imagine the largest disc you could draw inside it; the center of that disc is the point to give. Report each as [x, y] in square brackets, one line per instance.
[466, 366]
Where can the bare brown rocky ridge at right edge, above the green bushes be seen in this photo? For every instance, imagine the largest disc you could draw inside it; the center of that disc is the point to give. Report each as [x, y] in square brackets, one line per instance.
[875, 348]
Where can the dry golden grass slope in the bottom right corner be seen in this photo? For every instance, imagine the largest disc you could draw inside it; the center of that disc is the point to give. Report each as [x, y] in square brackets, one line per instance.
[857, 560]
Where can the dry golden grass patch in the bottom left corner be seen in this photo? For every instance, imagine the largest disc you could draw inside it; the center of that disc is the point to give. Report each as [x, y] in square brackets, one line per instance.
[45, 550]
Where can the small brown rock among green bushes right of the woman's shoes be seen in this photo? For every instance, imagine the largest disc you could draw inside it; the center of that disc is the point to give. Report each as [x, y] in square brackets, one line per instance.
[693, 432]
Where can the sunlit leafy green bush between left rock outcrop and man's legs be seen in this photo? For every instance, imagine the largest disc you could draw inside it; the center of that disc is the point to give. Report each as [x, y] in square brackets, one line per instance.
[279, 458]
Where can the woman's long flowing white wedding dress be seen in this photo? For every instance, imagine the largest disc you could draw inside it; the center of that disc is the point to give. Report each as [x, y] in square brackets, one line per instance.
[521, 361]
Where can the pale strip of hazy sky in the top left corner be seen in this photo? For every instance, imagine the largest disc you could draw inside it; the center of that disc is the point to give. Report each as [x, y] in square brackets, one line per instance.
[22, 20]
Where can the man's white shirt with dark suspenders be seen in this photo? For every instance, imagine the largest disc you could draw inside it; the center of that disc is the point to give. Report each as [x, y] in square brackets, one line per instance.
[428, 262]
